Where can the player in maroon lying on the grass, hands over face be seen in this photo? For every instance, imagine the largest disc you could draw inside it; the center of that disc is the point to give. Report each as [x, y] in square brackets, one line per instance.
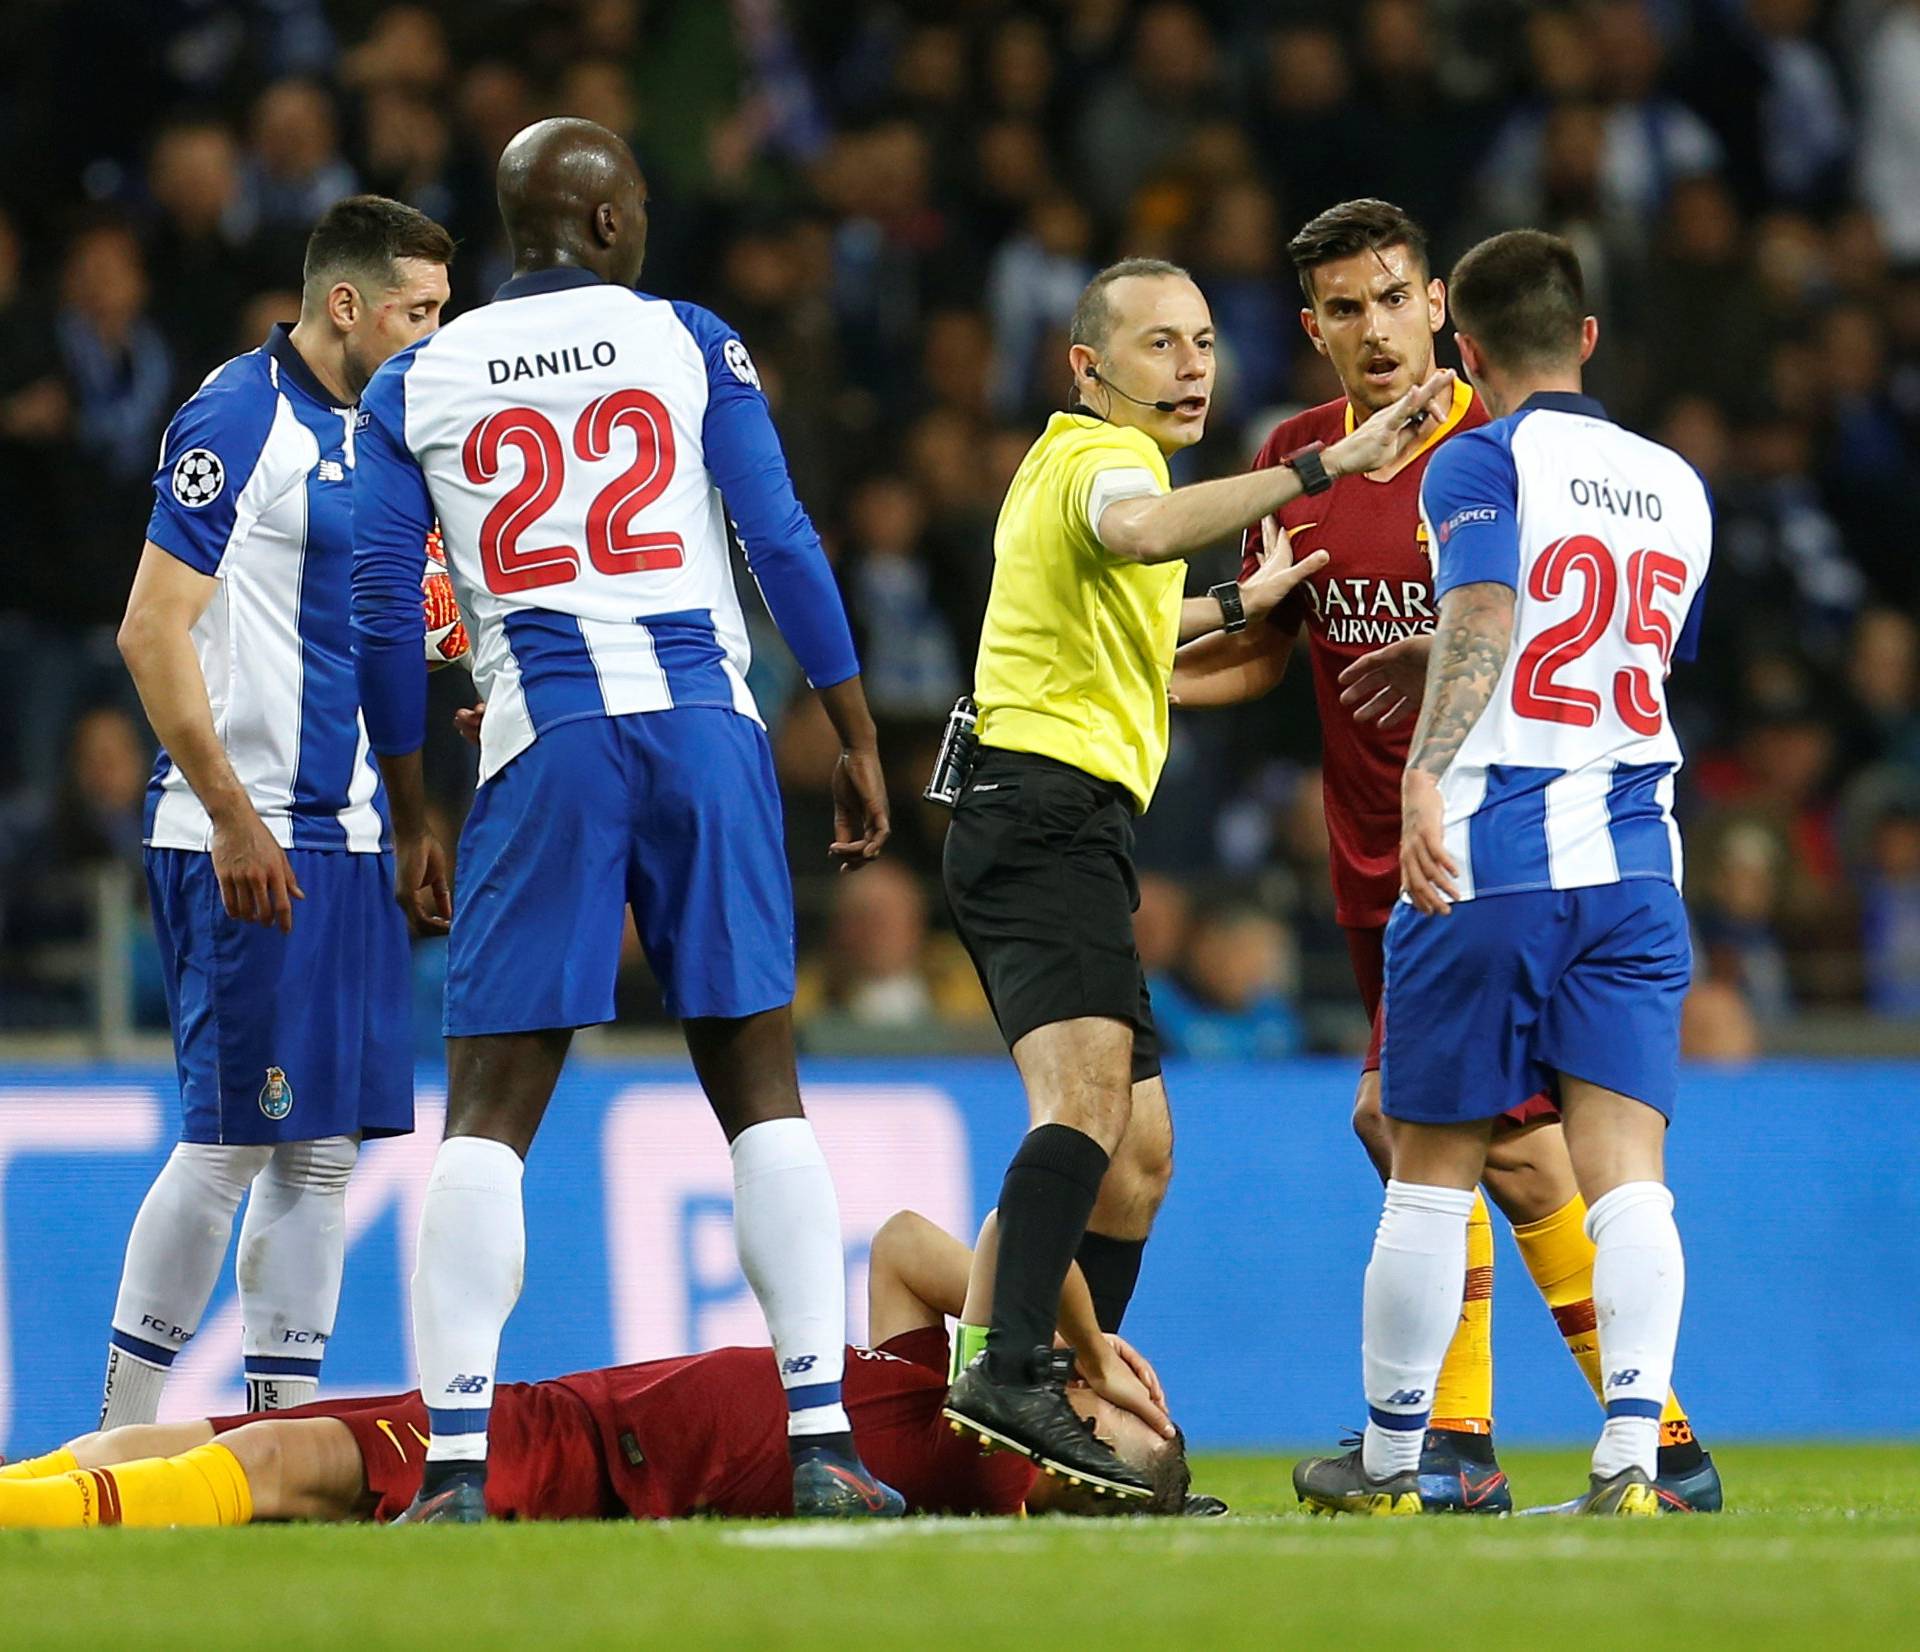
[665, 1440]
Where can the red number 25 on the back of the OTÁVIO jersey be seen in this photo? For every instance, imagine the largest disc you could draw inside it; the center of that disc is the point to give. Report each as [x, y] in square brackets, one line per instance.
[1539, 691]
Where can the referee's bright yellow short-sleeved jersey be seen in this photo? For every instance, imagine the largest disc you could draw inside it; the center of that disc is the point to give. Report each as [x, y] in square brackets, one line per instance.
[1078, 646]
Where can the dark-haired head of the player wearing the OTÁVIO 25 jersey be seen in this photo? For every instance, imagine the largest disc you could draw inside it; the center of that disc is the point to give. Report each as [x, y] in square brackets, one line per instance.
[1520, 318]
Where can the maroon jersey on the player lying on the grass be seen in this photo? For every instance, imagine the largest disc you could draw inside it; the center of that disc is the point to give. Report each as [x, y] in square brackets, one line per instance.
[708, 1434]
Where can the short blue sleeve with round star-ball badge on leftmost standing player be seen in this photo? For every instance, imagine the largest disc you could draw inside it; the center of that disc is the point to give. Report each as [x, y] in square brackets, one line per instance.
[206, 462]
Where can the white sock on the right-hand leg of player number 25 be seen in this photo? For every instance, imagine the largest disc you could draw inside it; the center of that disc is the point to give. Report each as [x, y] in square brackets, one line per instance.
[1639, 1286]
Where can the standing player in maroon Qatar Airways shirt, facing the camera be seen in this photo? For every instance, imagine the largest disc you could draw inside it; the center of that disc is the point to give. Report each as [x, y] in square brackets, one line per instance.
[1374, 310]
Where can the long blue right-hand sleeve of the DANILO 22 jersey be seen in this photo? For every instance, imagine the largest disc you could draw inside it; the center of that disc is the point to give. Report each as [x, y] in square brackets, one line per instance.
[750, 468]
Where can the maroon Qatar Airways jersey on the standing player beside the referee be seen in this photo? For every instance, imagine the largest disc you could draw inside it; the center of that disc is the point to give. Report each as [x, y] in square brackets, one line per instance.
[1376, 589]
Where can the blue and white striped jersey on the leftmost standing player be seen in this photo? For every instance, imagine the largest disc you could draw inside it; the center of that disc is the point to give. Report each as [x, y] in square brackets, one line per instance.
[256, 489]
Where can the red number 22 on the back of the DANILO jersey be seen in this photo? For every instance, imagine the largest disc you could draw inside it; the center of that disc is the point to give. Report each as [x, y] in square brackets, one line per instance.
[615, 547]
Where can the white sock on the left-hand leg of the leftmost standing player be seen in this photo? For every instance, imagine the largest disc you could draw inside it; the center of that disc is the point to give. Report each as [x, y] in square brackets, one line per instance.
[174, 1257]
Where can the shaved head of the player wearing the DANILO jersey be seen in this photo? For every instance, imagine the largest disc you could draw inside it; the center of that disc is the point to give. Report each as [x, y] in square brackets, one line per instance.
[573, 197]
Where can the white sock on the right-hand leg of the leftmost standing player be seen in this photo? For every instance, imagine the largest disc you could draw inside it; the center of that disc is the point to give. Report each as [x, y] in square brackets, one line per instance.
[293, 1250]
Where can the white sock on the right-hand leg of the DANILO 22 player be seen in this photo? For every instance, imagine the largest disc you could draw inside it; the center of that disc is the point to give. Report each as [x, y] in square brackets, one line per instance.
[786, 1225]
